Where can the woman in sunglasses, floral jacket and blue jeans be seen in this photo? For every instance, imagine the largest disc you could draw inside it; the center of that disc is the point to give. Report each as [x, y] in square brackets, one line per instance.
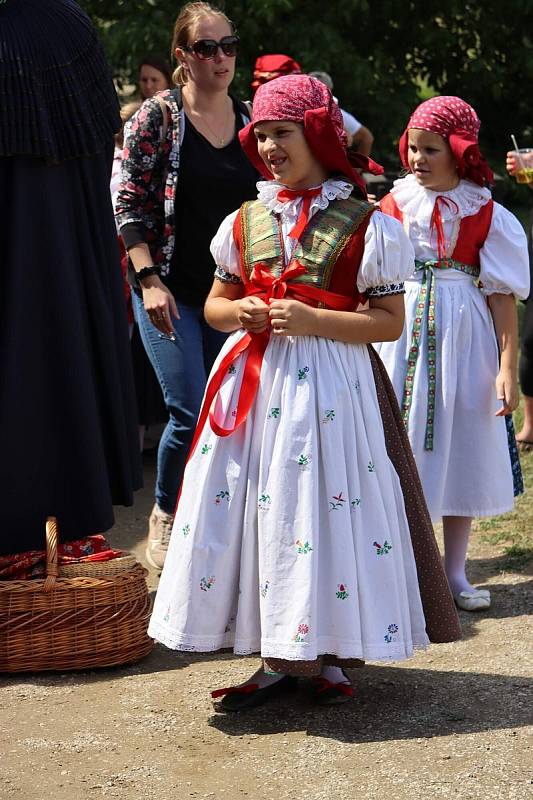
[183, 172]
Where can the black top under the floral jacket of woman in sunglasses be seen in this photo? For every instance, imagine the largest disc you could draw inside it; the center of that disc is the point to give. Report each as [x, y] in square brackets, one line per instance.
[212, 183]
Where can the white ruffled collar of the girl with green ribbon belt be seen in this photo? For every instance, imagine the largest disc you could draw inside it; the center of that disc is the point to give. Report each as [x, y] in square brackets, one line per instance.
[417, 203]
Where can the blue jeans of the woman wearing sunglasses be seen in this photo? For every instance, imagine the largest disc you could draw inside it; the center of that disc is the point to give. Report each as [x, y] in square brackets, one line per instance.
[181, 367]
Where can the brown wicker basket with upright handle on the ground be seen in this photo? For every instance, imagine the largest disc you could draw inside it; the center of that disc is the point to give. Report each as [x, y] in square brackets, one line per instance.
[58, 623]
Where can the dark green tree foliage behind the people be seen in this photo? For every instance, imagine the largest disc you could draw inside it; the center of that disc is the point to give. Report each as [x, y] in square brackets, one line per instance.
[384, 57]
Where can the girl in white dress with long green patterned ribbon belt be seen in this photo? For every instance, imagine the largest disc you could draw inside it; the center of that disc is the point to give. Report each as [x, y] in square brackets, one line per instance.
[454, 387]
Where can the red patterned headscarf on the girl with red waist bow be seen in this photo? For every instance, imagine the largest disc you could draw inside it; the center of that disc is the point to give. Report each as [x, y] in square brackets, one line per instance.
[305, 100]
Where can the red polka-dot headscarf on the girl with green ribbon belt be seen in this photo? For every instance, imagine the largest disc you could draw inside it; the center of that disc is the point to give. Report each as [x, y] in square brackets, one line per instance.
[458, 123]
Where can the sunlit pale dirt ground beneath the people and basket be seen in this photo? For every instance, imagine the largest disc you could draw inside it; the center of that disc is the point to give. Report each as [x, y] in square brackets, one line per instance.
[453, 722]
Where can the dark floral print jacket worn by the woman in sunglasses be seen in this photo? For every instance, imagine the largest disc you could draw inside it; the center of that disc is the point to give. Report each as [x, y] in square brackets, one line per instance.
[144, 207]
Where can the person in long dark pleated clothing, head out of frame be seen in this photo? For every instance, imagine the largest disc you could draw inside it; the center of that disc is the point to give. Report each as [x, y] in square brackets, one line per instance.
[68, 424]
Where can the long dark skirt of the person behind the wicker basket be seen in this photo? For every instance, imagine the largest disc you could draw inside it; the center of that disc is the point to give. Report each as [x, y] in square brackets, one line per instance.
[68, 437]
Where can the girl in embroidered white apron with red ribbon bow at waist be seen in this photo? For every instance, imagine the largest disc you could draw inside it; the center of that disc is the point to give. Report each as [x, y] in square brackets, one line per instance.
[300, 501]
